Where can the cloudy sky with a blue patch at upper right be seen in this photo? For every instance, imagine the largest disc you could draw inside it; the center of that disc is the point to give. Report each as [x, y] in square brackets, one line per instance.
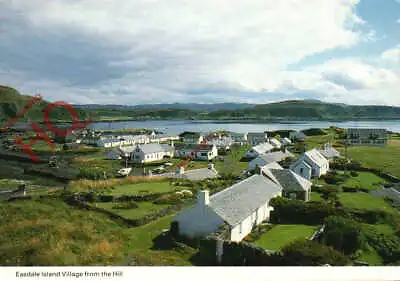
[205, 51]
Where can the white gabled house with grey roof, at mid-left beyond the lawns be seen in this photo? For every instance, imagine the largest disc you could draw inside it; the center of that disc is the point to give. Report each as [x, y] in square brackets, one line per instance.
[151, 152]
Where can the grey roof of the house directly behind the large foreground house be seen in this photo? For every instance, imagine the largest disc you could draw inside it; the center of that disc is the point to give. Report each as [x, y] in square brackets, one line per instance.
[290, 181]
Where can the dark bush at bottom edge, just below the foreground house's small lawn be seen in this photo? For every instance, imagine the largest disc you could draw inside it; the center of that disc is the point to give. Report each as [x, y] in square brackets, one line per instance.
[308, 253]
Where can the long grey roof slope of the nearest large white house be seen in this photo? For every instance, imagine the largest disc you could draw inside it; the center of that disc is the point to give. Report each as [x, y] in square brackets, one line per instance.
[239, 201]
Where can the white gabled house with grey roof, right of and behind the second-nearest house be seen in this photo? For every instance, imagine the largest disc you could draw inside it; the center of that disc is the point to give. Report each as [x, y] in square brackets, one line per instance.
[311, 164]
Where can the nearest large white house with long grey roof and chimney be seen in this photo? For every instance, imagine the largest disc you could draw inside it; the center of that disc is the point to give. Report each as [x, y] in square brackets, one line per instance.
[241, 206]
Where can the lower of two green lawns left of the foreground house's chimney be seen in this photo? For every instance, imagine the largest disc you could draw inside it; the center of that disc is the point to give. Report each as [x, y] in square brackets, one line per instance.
[144, 209]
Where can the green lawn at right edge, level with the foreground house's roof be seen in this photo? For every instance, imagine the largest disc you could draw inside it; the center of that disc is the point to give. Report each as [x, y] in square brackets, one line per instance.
[365, 201]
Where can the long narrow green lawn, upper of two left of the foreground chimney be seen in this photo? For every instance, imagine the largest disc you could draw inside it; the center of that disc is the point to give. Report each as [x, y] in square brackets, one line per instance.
[142, 188]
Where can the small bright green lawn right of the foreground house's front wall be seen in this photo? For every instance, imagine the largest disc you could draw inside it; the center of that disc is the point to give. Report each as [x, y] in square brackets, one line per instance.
[282, 235]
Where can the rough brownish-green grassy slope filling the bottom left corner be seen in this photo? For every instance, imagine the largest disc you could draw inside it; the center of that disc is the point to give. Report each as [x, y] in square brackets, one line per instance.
[51, 233]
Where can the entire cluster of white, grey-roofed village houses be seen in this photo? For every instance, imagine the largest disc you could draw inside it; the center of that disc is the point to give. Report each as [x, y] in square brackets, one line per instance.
[246, 203]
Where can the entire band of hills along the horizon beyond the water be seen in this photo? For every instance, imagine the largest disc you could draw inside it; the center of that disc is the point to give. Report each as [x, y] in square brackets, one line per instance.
[11, 101]
